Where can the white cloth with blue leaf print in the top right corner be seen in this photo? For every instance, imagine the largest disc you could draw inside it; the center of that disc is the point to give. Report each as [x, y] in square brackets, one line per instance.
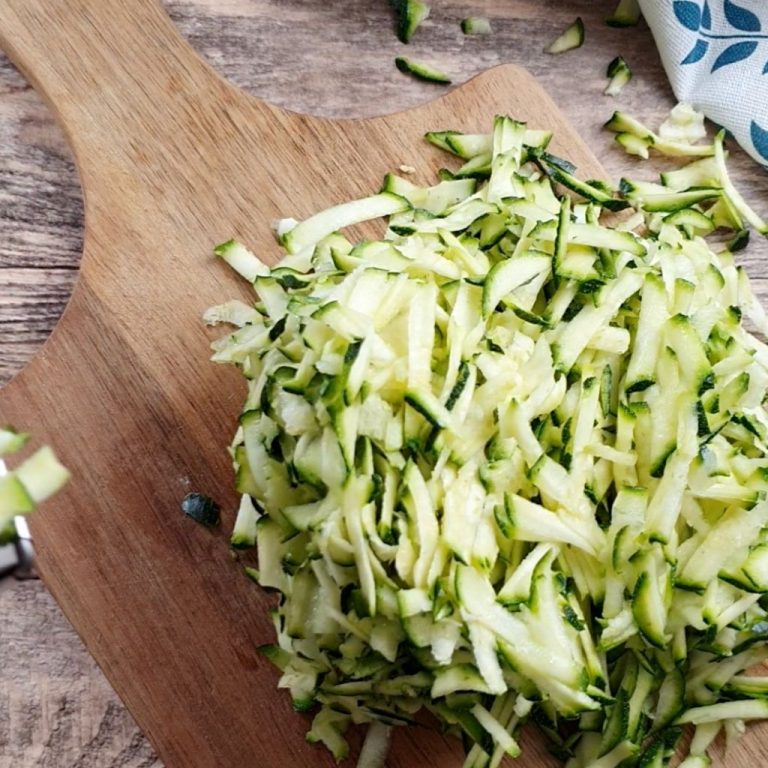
[715, 53]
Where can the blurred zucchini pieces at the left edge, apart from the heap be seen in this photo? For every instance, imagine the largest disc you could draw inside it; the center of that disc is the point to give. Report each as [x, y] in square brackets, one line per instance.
[34, 480]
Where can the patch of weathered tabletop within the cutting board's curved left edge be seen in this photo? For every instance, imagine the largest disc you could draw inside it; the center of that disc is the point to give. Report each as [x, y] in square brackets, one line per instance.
[41, 222]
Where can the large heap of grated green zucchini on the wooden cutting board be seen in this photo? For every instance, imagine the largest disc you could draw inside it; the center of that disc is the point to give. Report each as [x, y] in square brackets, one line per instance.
[508, 464]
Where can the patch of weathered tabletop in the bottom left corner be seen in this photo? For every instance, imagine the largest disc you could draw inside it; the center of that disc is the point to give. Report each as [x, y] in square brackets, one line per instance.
[56, 708]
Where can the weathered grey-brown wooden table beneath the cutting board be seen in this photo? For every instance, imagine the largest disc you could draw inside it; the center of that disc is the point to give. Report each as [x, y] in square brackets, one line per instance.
[56, 709]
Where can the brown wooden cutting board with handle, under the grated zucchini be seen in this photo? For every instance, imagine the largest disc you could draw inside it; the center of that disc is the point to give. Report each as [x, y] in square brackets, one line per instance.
[173, 160]
